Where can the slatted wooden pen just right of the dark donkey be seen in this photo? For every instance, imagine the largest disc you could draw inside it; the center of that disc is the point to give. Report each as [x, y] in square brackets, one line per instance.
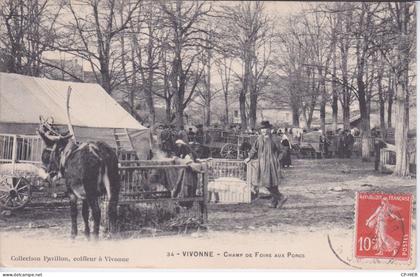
[150, 182]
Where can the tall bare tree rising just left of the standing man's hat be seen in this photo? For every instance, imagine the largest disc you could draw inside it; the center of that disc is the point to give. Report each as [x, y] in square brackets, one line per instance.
[248, 34]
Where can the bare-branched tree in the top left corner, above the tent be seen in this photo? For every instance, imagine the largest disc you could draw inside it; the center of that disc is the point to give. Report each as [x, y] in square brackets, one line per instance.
[27, 29]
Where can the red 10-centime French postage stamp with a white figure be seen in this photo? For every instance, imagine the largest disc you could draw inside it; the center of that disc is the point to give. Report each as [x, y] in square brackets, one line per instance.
[383, 225]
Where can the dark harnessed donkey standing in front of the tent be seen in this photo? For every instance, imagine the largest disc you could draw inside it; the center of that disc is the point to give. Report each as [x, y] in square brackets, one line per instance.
[90, 171]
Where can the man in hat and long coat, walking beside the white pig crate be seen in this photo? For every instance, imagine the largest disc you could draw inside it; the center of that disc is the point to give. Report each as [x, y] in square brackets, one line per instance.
[269, 154]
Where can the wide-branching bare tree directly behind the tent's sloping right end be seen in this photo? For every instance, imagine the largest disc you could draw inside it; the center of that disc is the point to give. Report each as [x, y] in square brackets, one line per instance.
[93, 34]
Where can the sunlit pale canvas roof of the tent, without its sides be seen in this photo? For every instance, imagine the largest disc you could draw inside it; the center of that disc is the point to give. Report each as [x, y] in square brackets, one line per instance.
[23, 99]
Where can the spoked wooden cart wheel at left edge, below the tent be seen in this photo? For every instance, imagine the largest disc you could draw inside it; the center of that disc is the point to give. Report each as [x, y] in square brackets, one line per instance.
[15, 192]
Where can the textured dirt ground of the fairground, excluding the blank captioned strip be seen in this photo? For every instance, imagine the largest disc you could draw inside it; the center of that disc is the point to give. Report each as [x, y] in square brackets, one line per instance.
[321, 196]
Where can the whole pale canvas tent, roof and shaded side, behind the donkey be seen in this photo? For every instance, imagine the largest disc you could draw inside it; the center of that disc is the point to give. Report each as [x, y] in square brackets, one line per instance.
[93, 112]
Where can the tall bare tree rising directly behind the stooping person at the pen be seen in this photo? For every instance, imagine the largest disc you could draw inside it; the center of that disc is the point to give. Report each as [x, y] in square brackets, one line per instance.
[186, 22]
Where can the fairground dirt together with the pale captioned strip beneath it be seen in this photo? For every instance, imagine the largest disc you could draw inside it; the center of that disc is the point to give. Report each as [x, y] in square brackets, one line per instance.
[320, 205]
